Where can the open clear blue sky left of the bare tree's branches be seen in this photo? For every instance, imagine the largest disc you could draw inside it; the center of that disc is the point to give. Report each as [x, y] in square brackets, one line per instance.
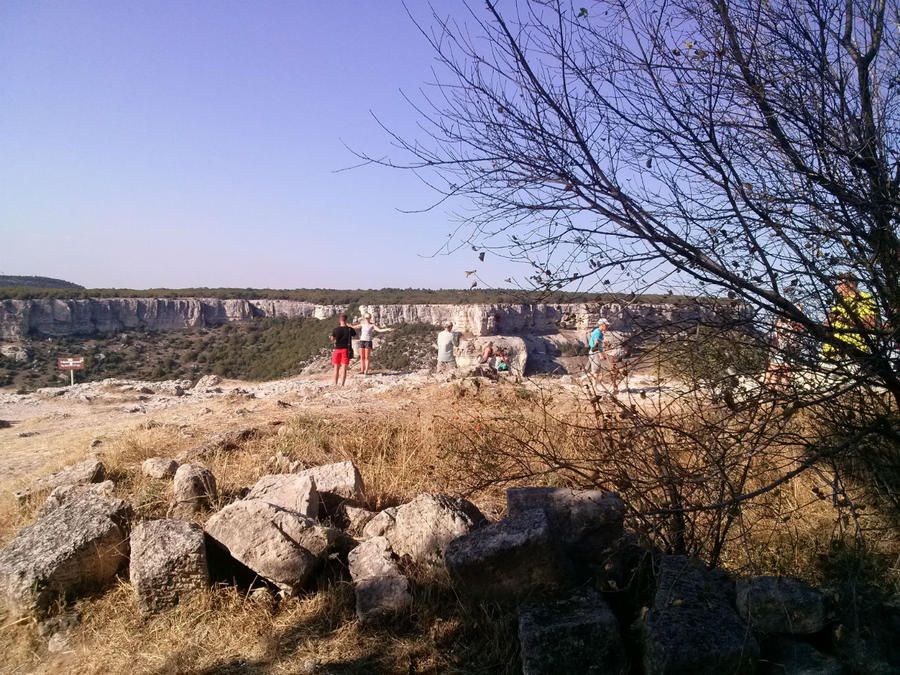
[181, 143]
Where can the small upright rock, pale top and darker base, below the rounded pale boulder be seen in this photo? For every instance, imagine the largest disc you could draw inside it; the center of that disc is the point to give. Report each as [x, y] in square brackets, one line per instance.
[381, 590]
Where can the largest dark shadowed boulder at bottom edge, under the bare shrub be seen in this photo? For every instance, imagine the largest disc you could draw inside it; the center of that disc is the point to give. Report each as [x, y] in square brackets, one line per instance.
[692, 626]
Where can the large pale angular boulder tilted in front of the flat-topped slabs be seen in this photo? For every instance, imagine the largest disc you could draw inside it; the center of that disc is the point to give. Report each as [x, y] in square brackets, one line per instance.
[282, 546]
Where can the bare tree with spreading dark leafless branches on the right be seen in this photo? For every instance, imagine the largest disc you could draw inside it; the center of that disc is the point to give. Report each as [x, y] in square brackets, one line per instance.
[742, 150]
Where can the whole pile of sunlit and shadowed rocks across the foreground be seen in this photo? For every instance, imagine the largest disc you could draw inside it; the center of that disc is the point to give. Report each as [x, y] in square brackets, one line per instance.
[562, 558]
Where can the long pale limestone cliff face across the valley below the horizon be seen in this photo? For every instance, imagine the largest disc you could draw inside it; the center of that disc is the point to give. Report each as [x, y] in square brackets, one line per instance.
[51, 317]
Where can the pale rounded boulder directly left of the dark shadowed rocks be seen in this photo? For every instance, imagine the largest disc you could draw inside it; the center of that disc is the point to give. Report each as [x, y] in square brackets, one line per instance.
[423, 527]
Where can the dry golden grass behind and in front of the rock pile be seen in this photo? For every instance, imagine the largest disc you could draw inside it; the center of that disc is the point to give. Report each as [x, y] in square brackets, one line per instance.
[226, 630]
